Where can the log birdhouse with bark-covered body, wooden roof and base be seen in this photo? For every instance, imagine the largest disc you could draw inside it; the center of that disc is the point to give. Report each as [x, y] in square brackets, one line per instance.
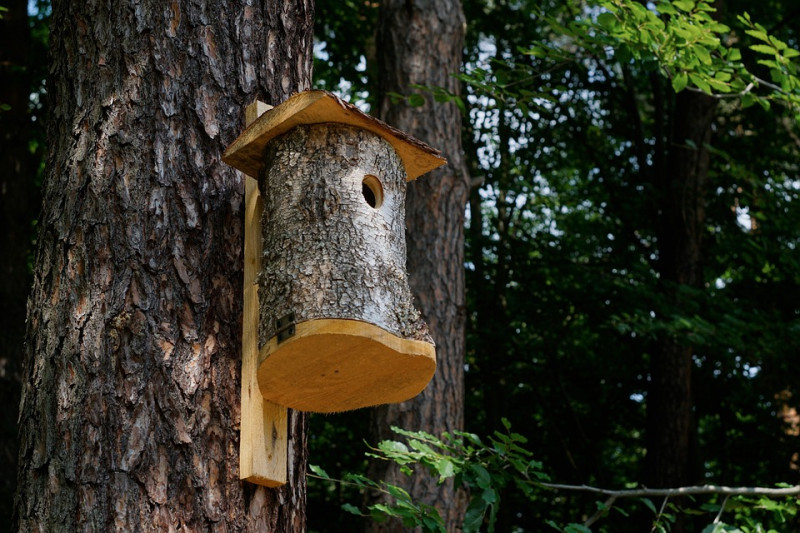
[335, 322]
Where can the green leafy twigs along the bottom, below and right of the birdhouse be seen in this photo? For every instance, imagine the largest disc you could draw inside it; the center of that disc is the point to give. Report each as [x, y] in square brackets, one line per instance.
[486, 469]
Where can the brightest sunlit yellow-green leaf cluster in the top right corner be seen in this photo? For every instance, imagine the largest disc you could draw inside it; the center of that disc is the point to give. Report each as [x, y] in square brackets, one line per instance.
[690, 46]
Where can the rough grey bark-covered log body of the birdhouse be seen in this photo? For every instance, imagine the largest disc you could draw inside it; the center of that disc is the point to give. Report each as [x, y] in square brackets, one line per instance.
[327, 252]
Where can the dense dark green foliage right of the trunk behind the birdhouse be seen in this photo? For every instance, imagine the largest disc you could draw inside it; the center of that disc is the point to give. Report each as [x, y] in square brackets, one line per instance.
[568, 117]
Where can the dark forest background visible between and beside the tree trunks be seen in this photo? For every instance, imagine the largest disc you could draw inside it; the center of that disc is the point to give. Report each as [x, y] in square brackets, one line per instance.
[591, 252]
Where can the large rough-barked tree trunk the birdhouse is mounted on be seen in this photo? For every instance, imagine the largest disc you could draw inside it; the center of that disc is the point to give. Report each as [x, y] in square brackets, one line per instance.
[129, 417]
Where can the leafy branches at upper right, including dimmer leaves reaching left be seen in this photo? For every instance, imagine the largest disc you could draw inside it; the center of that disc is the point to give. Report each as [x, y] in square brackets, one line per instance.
[682, 39]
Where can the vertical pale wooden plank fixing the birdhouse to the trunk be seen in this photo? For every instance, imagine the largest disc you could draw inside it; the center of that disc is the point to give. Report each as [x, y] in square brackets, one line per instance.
[263, 440]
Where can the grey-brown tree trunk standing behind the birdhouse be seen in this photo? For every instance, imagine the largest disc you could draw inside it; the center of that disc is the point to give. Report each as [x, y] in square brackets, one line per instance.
[421, 43]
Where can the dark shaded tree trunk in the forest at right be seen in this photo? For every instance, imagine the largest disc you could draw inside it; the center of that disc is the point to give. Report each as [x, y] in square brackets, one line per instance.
[682, 188]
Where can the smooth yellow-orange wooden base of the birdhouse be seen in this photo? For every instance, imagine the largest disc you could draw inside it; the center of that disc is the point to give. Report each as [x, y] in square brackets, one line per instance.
[332, 365]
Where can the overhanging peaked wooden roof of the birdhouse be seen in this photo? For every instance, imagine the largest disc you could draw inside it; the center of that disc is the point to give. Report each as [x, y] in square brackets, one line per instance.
[318, 107]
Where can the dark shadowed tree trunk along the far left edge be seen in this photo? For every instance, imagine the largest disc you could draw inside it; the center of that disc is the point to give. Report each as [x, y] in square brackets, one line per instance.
[17, 211]
